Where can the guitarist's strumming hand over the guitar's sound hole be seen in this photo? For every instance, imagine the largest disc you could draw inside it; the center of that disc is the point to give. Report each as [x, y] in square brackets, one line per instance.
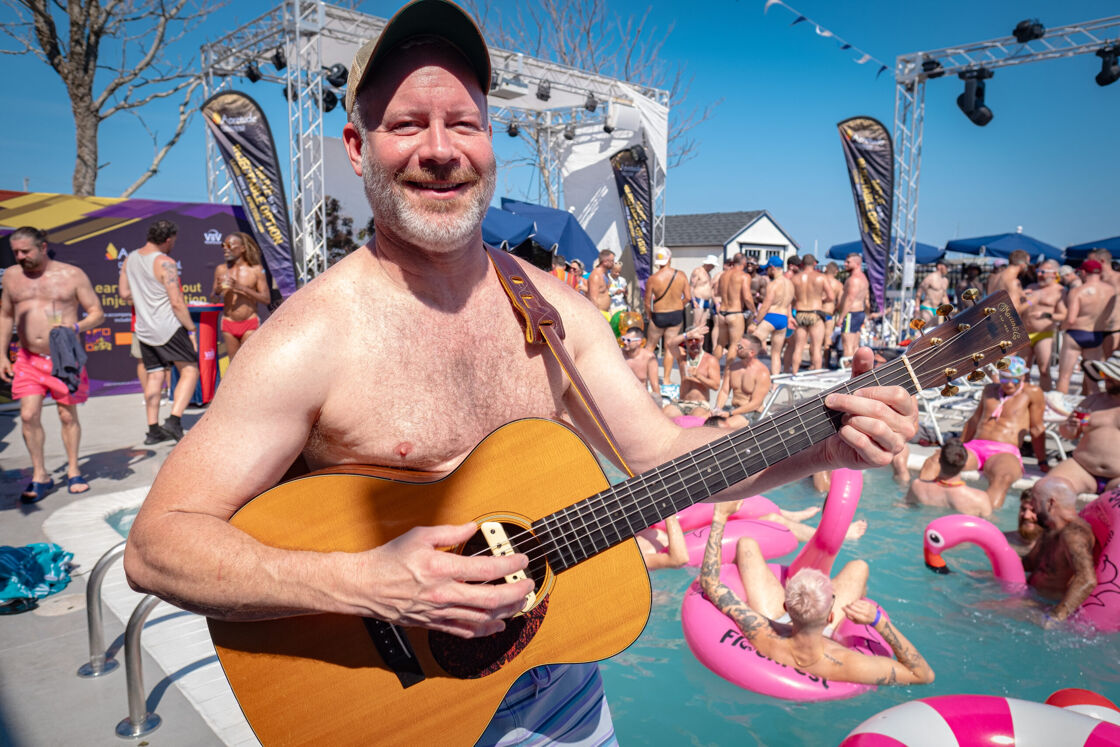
[412, 582]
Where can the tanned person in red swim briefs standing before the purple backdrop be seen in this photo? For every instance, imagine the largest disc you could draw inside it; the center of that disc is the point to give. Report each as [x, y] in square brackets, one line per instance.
[241, 285]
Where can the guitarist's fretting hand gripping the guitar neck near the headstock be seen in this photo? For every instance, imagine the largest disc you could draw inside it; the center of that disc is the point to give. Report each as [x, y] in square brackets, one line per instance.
[878, 423]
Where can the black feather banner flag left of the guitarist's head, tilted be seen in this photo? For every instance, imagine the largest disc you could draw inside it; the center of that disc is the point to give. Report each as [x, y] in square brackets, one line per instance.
[244, 136]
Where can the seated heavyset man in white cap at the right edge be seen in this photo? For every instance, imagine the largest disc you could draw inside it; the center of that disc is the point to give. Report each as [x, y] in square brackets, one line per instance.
[1095, 425]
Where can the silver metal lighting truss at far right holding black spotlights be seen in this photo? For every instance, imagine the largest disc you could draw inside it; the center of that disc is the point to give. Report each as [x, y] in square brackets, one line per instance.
[914, 71]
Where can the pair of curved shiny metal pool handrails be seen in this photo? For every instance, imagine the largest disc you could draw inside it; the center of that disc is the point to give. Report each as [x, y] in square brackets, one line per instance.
[139, 722]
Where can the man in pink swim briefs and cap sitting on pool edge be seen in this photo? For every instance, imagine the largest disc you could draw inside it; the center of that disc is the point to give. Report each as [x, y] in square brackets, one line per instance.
[1007, 413]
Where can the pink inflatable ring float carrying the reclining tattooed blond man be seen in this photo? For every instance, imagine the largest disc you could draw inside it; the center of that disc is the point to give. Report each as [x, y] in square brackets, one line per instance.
[718, 645]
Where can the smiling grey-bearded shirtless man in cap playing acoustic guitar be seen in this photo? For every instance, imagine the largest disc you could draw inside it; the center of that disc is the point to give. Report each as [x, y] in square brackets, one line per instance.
[422, 309]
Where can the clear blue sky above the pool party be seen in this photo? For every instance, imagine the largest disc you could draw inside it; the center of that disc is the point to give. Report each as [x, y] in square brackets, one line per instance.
[1046, 163]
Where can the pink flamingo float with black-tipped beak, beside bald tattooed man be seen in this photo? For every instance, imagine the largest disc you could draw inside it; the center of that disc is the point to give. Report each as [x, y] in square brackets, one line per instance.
[1100, 612]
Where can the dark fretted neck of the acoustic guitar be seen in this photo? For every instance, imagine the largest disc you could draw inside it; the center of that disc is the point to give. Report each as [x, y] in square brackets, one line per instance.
[617, 515]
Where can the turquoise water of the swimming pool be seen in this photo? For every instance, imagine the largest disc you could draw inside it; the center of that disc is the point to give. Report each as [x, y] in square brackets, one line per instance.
[975, 639]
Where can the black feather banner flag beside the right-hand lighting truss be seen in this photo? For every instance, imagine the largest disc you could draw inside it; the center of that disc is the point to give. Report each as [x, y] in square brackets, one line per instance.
[870, 154]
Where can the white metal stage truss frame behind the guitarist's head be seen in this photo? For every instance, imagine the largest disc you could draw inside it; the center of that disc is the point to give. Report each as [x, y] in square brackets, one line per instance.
[313, 34]
